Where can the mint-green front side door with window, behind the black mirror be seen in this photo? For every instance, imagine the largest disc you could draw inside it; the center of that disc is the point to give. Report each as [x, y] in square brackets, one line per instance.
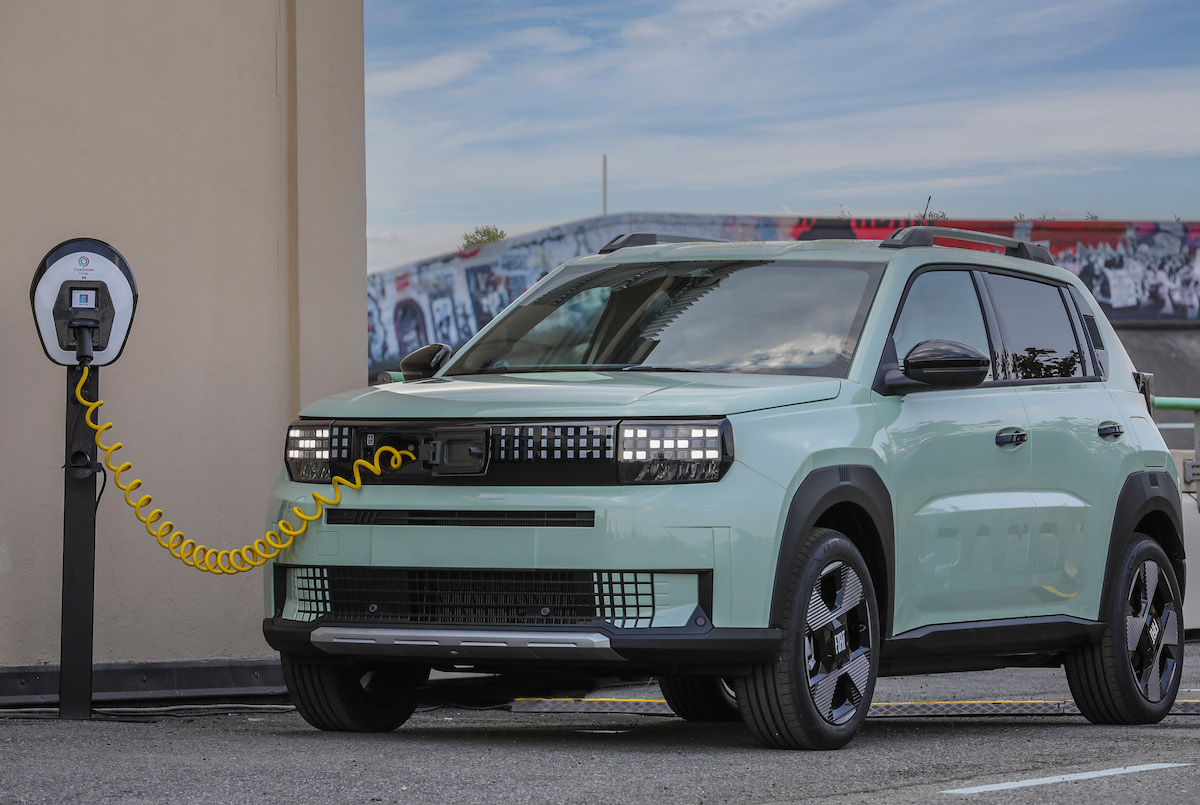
[959, 472]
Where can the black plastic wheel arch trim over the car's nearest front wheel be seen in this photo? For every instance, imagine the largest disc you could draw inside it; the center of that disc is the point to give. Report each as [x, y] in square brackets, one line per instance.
[823, 491]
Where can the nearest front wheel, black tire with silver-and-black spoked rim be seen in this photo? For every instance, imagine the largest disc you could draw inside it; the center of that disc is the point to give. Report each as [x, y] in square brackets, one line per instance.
[818, 690]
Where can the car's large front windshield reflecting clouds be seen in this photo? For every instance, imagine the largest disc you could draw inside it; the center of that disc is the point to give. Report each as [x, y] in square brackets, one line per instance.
[771, 317]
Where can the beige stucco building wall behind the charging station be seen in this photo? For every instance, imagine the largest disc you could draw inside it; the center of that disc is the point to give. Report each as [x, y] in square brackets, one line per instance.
[219, 146]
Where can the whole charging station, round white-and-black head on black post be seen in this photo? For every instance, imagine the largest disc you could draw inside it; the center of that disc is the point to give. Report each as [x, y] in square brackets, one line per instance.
[83, 298]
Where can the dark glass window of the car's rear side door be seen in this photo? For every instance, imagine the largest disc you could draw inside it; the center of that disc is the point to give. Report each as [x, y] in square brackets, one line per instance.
[1040, 340]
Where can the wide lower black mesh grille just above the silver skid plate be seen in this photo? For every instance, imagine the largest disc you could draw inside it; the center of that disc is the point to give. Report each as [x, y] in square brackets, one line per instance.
[502, 598]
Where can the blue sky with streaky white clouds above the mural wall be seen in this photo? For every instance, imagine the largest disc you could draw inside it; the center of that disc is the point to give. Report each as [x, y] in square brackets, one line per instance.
[494, 112]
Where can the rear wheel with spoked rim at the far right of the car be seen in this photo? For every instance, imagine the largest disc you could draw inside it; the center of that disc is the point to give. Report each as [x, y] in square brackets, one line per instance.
[1133, 674]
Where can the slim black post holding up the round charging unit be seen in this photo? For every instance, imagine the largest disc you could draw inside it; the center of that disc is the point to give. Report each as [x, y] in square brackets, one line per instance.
[79, 552]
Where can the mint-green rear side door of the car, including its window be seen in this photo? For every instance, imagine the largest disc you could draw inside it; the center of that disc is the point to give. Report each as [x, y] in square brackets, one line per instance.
[1078, 448]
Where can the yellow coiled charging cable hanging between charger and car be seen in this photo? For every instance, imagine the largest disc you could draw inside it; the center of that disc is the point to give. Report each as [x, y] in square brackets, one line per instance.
[237, 561]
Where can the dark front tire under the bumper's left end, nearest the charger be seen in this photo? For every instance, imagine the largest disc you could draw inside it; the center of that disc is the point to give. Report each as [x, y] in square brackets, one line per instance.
[352, 698]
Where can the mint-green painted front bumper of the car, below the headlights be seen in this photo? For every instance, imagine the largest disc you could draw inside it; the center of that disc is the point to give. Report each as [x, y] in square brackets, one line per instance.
[707, 531]
